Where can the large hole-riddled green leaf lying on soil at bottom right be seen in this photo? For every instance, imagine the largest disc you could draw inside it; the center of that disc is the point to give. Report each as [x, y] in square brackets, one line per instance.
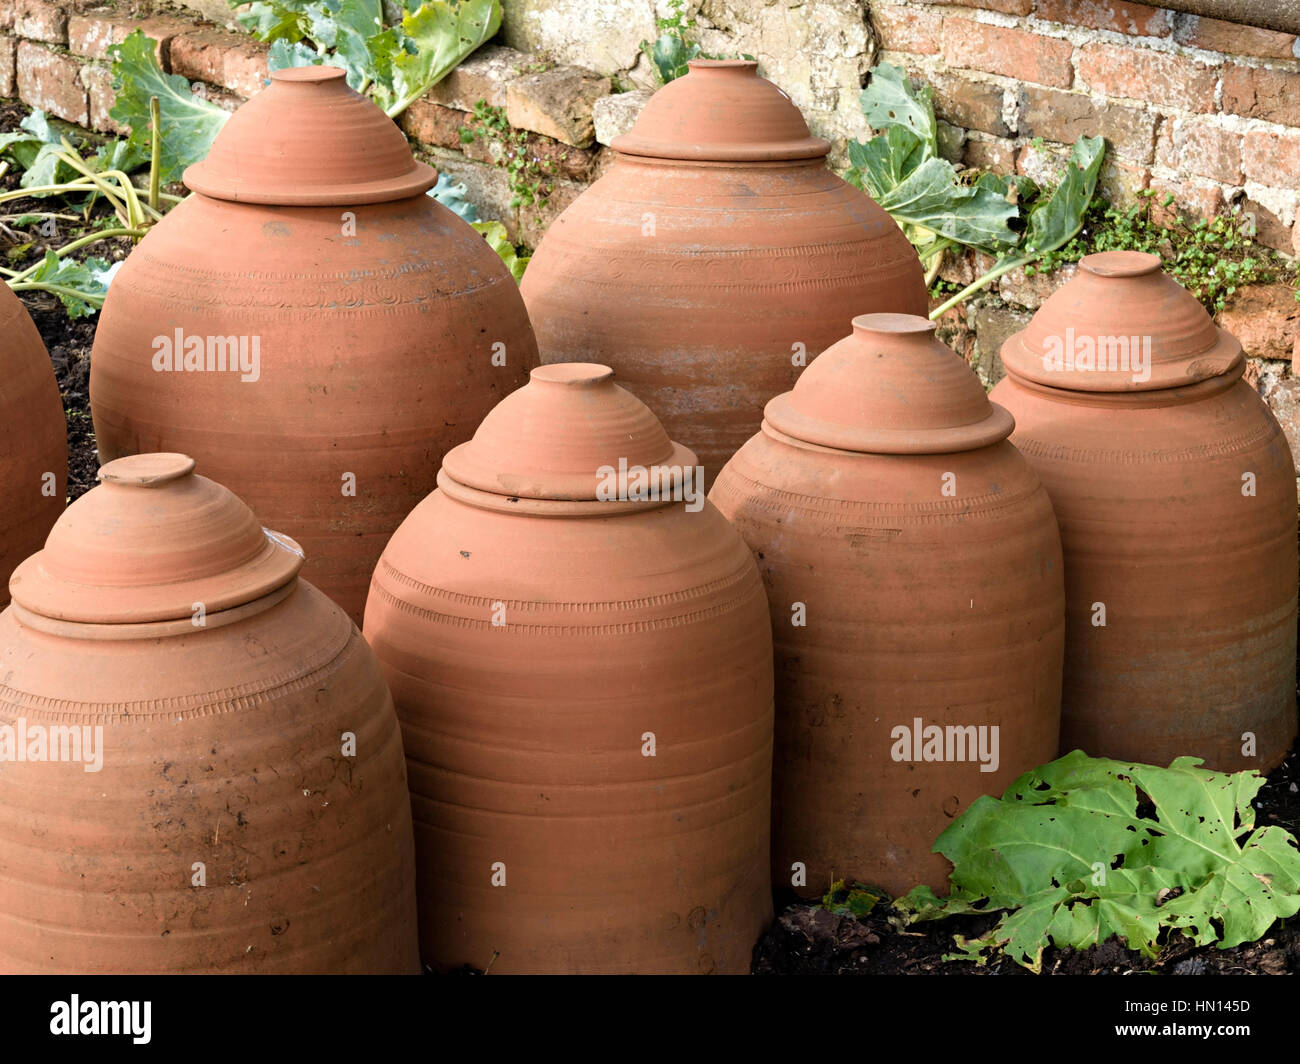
[1071, 858]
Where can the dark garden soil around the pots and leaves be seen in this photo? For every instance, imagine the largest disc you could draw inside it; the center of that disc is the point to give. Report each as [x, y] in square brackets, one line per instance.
[805, 938]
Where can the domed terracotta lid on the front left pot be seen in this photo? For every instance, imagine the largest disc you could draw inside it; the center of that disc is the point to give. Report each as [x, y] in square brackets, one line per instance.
[148, 544]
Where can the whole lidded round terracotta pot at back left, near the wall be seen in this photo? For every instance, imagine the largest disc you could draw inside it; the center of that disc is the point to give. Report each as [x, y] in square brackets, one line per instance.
[376, 312]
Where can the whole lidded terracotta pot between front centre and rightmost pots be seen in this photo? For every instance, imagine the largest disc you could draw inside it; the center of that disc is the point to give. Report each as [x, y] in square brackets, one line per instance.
[913, 568]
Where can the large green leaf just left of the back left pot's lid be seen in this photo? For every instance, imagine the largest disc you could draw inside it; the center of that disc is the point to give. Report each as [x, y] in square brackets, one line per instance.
[187, 122]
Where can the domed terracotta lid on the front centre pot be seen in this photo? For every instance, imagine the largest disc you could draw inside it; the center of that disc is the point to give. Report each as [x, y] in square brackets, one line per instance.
[560, 438]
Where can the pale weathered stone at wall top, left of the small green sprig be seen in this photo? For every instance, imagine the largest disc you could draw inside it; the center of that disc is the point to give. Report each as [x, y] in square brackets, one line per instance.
[603, 34]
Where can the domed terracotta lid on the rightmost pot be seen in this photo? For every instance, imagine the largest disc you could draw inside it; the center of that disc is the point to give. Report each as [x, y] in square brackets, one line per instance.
[1121, 325]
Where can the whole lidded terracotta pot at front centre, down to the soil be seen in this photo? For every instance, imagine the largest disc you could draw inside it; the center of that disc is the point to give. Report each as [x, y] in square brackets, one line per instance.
[586, 693]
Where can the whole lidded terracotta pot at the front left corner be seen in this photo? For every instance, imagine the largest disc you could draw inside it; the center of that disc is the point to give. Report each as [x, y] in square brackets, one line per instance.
[227, 828]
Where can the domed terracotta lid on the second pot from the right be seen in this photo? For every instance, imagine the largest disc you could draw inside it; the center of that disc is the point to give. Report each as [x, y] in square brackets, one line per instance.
[890, 388]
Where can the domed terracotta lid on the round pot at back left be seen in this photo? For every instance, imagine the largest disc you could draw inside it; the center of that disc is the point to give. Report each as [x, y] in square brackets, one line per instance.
[310, 141]
